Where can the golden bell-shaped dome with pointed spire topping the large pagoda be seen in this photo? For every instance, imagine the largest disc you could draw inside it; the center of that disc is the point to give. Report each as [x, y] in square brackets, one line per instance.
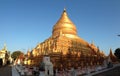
[65, 25]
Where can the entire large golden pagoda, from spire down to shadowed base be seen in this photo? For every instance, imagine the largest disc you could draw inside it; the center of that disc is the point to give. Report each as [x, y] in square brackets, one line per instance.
[65, 48]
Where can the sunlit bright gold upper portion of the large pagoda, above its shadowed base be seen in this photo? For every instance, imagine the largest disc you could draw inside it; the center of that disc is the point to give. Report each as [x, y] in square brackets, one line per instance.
[64, 38]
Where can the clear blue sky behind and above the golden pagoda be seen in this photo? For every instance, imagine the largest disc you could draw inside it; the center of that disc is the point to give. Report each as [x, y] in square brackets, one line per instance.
[25, 23]
